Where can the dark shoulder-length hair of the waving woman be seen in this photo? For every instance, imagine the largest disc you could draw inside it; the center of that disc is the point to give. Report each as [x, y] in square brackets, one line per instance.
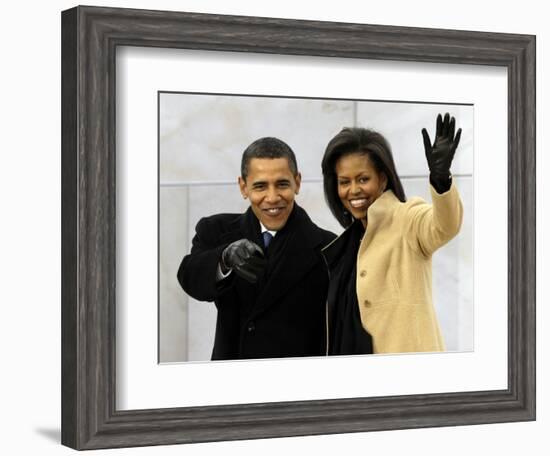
[353, 140]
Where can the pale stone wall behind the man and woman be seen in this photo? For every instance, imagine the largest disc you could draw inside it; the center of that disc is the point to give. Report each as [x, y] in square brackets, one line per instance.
[202, 138]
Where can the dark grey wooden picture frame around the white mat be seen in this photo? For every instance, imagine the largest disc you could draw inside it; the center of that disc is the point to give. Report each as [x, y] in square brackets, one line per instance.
[90, 36]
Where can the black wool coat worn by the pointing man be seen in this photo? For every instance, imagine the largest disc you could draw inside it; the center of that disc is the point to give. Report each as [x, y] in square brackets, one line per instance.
[283, 314]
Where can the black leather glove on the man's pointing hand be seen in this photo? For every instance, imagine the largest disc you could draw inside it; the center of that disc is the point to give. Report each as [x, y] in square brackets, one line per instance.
[246, 258]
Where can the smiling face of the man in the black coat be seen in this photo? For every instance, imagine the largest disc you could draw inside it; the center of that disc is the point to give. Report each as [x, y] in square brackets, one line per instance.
[270, 186]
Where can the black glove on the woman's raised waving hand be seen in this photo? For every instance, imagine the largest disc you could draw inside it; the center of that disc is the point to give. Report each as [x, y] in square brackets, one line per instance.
[441, 154]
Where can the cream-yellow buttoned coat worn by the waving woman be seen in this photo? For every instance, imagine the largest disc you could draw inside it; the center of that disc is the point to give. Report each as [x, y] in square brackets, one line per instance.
[394, 269]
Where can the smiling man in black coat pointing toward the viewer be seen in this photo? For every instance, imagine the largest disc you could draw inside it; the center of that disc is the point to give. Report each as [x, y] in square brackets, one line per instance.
[263, 269]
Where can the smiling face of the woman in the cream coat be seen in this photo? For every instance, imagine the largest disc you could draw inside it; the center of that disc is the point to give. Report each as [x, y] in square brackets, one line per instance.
[359, 184]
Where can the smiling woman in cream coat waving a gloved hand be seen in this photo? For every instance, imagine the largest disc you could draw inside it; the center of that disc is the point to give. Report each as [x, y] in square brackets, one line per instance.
[380, 292]
